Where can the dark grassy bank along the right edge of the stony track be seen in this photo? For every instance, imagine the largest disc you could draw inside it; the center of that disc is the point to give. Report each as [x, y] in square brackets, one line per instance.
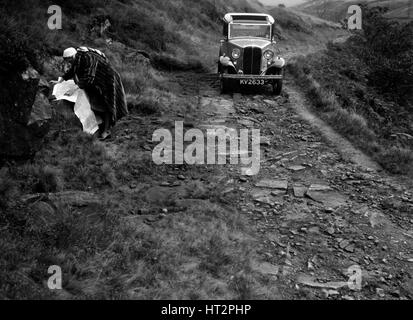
[338, 82]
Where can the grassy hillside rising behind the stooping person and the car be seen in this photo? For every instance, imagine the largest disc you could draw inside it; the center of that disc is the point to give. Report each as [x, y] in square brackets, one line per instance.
[177, 35]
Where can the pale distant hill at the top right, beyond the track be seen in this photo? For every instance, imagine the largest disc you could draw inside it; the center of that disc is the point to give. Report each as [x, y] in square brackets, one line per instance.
[336, 10]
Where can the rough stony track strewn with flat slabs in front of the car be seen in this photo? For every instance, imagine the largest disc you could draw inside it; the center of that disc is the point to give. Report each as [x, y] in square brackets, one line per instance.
[318, 213]
